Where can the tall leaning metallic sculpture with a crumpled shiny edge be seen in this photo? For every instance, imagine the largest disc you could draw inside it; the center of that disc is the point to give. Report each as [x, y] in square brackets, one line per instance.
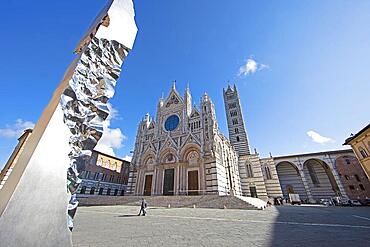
[34, 199]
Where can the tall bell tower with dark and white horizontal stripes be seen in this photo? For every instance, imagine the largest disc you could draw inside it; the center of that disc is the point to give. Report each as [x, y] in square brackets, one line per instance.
[235, 123]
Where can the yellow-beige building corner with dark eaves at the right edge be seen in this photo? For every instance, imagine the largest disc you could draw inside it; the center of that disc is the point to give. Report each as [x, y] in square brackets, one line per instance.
[360, 144]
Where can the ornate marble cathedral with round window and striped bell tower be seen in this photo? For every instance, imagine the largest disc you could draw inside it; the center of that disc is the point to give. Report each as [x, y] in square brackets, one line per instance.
[183, 152]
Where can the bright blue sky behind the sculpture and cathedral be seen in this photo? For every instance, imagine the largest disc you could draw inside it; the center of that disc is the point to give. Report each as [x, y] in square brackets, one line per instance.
[306, 88]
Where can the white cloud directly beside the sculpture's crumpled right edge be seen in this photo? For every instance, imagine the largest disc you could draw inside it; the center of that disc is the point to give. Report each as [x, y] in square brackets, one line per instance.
[112, 138]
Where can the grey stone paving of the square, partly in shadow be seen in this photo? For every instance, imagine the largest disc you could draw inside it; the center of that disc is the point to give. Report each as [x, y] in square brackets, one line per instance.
[276, 226]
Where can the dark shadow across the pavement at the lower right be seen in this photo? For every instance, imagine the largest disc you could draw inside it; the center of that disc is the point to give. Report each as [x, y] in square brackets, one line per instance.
[319, 226]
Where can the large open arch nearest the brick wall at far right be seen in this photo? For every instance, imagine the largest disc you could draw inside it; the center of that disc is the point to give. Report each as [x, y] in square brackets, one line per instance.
[320, 179]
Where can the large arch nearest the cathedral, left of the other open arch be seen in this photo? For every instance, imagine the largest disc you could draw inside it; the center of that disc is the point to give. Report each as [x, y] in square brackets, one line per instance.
[290, 179]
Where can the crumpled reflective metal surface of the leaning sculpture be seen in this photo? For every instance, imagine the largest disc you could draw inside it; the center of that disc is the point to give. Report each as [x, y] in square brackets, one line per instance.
[84, 105]
